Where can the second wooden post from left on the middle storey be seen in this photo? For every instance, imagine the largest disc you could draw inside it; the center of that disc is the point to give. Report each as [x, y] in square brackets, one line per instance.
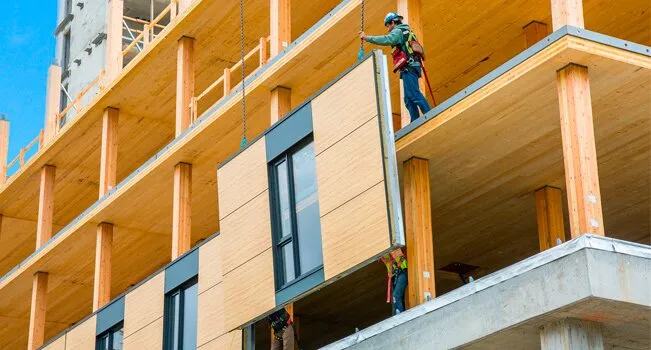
[109, 151]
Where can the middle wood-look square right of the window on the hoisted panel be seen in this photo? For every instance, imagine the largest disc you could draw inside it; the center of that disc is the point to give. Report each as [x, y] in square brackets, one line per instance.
[349, 167]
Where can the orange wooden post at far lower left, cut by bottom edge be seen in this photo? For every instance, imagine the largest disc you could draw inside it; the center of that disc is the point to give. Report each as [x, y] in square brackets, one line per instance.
[37, 311]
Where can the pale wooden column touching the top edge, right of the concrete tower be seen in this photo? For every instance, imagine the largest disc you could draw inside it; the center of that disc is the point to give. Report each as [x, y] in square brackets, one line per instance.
[114, 58]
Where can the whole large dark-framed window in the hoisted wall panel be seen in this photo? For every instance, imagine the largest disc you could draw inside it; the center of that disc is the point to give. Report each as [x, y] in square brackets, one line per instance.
[296, 221]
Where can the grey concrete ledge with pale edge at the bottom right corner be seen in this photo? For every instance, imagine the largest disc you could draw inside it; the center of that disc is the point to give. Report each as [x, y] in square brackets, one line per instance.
[591, 277]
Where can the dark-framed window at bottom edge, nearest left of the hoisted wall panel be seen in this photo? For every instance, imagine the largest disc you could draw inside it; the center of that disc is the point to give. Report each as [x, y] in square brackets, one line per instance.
[181, 317]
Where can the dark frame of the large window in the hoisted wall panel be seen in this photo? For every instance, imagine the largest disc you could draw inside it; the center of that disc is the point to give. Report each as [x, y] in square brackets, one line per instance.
[276, 221]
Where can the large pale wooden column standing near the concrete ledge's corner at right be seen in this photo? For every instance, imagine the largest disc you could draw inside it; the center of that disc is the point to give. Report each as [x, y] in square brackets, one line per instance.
[579, 151]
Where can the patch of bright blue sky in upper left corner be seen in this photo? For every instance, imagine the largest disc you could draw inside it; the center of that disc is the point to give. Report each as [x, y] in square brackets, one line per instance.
[26, 50]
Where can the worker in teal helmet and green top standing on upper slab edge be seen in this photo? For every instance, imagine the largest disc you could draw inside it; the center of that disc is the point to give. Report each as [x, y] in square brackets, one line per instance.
[410, 72]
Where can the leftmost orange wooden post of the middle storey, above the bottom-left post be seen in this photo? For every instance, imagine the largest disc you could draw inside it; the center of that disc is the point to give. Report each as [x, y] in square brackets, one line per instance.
[45, 206]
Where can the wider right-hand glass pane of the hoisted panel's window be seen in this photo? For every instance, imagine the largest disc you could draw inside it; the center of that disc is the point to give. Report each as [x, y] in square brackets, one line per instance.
[307, 209]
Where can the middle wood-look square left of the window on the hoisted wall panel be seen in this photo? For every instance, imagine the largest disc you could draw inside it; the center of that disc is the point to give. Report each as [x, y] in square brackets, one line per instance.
[246, 233]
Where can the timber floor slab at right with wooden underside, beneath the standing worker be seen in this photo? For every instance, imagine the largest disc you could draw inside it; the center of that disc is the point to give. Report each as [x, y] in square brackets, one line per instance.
[490, 151]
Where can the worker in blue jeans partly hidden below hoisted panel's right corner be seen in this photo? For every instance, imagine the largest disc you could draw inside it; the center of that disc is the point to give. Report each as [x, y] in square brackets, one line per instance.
[396, 264]
